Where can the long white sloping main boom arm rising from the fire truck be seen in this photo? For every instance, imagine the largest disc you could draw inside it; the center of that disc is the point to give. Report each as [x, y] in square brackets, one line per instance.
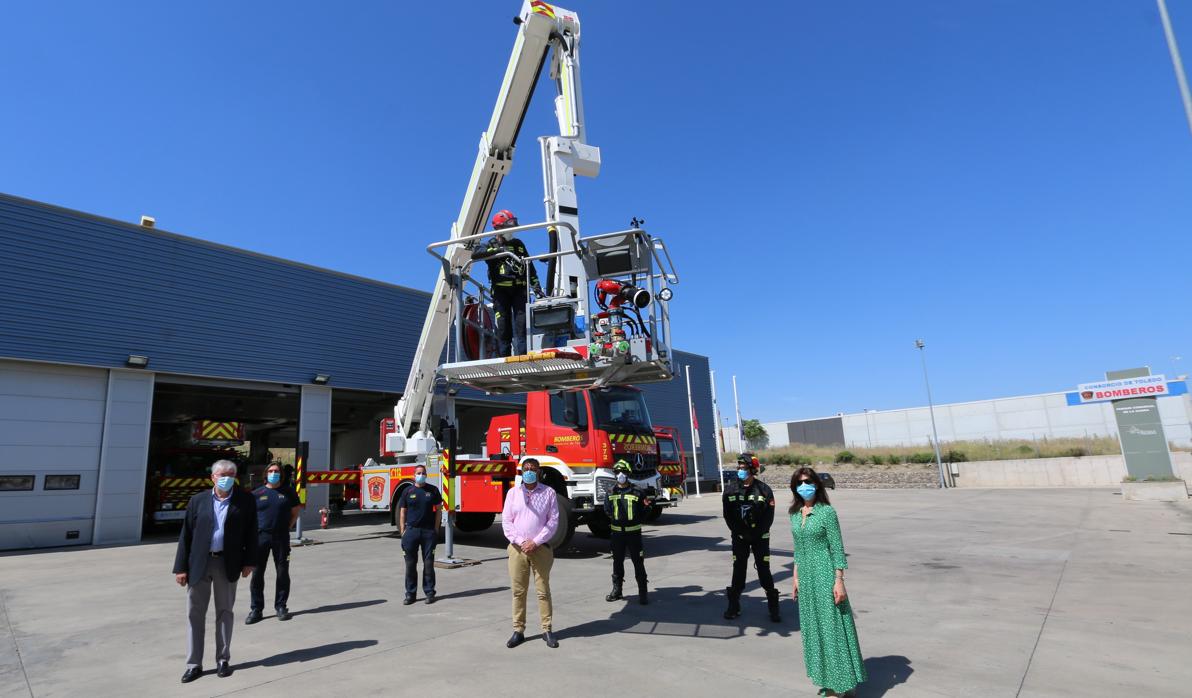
[541, 26]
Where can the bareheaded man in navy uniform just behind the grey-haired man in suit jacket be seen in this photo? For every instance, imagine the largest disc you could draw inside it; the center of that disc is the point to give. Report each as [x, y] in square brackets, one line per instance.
[277, 510]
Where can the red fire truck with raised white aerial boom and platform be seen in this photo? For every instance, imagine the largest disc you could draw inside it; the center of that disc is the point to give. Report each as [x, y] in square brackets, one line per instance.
[600, 326]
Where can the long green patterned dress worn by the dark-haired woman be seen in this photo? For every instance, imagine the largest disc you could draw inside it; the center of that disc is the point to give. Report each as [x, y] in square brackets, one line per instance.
[831, 651]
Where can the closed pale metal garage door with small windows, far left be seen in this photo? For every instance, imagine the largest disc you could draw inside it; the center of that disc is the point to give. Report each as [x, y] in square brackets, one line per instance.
[52, 426]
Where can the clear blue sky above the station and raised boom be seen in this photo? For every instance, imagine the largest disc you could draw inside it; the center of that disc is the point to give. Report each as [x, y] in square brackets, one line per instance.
[1009, 180]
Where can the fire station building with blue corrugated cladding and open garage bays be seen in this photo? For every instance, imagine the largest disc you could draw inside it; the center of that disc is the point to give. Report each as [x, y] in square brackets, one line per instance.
[131, 357]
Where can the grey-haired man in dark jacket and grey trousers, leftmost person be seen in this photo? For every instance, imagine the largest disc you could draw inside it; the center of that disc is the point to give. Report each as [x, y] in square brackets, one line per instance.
[216, 549]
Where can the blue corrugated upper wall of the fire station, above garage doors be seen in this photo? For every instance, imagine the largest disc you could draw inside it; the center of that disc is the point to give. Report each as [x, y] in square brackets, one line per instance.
[83, 290]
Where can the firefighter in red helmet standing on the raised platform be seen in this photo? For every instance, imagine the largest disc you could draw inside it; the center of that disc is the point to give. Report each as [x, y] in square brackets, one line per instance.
[507, 277]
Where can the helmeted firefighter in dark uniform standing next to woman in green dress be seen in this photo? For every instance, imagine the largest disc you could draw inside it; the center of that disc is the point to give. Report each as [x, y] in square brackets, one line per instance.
[749, 513]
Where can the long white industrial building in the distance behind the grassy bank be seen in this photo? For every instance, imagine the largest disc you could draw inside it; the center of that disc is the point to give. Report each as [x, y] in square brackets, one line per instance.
[1028, 417]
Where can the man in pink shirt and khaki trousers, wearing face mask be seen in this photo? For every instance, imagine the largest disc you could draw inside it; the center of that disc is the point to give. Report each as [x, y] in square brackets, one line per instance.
[530, 519]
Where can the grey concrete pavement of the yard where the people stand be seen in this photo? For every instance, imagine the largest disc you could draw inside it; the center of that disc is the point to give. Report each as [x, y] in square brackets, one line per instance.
[970, 593]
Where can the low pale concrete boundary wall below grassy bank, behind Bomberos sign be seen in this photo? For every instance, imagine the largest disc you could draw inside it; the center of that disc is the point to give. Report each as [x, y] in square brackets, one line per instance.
[1083, 472]
